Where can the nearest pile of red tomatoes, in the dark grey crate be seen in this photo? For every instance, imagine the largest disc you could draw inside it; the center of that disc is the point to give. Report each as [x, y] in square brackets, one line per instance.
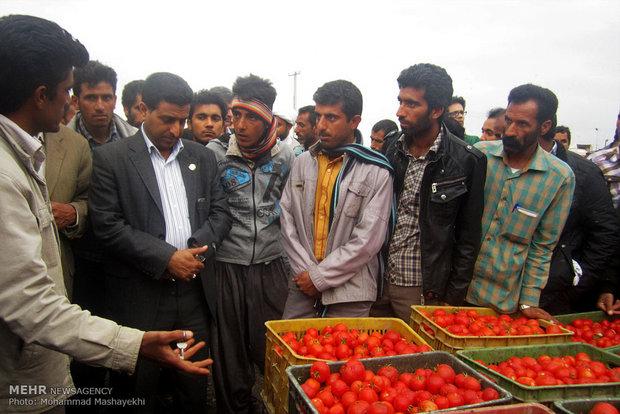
[356, 390]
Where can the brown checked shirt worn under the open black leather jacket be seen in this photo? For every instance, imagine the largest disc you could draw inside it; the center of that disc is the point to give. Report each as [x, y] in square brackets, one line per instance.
[404, 264]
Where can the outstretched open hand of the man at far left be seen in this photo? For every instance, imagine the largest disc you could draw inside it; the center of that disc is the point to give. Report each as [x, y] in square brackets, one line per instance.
[156, 347]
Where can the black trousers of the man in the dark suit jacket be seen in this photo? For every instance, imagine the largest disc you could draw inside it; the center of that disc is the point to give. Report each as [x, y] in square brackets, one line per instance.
[182, 306]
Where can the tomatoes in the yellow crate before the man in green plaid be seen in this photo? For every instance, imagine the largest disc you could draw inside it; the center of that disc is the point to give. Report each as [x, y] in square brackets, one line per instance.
[470, 323]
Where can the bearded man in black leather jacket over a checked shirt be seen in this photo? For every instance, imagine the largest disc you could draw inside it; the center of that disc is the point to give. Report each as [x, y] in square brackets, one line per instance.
[439, 182]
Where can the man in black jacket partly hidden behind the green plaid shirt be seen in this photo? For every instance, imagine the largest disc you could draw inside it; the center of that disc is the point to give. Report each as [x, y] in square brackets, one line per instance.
[588, 242]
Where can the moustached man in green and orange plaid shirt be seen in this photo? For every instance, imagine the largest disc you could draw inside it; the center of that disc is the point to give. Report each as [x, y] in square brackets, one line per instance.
[528, 193]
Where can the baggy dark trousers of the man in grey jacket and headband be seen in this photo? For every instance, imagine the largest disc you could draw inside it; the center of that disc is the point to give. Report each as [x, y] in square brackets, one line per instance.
[248, 296]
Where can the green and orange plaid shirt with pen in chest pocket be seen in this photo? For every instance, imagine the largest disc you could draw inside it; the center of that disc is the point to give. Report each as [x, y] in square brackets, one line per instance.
[524, 214]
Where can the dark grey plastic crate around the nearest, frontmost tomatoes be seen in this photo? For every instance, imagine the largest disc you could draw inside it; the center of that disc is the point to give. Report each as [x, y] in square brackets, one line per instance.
[297, 375]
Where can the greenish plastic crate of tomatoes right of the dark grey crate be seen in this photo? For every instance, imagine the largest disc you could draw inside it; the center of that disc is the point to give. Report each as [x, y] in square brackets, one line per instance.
[544, 393]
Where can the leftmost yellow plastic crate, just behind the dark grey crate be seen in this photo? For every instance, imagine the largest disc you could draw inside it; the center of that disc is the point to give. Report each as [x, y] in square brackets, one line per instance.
[275, 391]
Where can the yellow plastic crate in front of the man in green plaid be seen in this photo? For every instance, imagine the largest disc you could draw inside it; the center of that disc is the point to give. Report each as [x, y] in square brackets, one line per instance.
[446, 341]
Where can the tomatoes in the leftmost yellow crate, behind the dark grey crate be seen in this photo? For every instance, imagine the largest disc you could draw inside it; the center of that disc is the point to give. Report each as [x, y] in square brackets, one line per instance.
[339, 343]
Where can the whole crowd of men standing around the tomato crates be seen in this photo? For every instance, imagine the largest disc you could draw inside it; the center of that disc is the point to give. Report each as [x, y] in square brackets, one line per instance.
[199, 236]
